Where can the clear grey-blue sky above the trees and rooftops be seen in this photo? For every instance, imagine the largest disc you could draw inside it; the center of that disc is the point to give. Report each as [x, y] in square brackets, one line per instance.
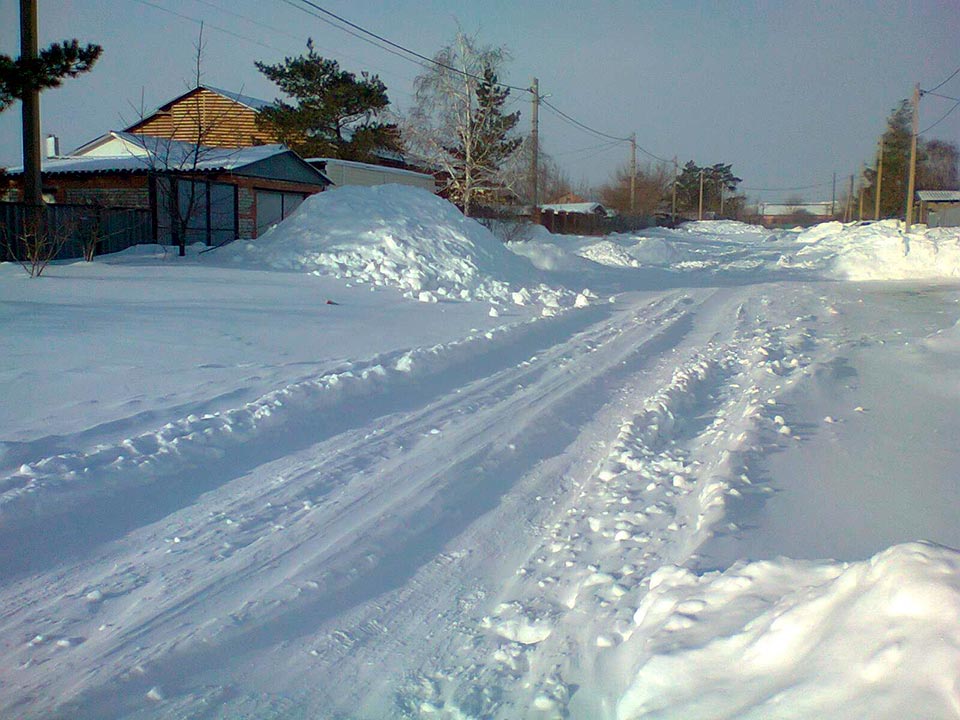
[789, 91]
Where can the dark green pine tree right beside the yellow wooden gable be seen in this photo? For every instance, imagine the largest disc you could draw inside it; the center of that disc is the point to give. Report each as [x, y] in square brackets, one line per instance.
[335, 113]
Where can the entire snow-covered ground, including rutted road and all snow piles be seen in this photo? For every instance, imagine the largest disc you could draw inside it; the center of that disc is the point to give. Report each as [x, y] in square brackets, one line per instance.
[377, 465]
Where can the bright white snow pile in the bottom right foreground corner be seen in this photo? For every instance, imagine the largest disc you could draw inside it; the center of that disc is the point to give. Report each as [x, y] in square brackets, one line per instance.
[790, 639]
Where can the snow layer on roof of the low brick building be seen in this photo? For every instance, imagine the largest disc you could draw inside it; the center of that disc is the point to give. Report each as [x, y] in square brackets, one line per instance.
[162, 153]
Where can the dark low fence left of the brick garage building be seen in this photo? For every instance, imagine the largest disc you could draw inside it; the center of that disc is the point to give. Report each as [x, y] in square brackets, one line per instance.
[112, 229]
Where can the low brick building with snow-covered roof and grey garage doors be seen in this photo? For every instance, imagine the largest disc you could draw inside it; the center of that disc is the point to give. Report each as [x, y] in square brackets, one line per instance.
[227, 192]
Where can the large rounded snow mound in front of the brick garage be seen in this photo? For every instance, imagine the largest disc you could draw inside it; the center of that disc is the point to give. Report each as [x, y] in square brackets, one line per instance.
[397, 236]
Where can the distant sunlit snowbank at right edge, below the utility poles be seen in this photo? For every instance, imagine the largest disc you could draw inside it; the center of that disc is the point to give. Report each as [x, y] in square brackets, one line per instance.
[879, 251]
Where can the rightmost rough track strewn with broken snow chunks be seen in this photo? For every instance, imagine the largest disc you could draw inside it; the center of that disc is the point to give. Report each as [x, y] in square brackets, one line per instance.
[655, 499]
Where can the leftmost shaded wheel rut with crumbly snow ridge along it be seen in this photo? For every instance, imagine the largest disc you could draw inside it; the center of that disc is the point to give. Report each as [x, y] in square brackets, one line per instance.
[91, 496]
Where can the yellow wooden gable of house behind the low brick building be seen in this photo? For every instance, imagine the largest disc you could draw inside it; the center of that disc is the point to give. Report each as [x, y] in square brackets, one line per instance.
[219, 117]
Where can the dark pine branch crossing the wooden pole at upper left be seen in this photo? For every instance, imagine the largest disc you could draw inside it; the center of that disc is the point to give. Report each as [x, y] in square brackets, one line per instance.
[47, 70]
